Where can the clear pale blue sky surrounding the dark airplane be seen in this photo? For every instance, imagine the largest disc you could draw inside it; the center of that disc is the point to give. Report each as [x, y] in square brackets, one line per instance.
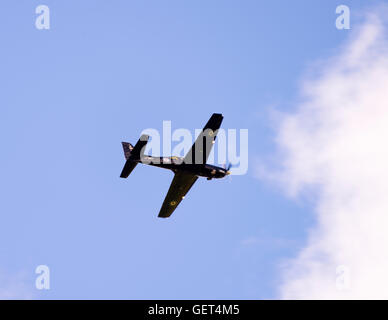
[105, 71]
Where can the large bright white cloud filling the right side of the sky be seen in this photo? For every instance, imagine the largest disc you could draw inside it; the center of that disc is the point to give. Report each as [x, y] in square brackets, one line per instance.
[336, 143]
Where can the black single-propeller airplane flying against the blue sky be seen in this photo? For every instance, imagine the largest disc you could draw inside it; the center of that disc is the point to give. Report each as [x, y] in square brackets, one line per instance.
[186, 169]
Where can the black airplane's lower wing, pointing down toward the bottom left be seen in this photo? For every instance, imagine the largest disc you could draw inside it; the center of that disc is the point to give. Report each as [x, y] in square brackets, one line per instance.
[179, 187]
